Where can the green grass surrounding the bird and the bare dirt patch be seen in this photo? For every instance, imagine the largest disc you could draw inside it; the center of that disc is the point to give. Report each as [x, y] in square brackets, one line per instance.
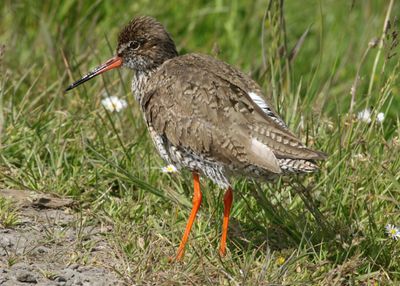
[323, 229]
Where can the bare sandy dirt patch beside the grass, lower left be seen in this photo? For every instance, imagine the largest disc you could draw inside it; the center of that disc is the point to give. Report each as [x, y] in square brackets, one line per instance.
[52, 245]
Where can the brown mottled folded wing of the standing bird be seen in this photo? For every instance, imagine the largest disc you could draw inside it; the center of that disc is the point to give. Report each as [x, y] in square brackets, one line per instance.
[203, 105]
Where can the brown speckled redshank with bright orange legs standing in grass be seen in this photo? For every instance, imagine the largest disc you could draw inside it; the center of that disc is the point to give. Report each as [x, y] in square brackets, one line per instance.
[205, 115]
